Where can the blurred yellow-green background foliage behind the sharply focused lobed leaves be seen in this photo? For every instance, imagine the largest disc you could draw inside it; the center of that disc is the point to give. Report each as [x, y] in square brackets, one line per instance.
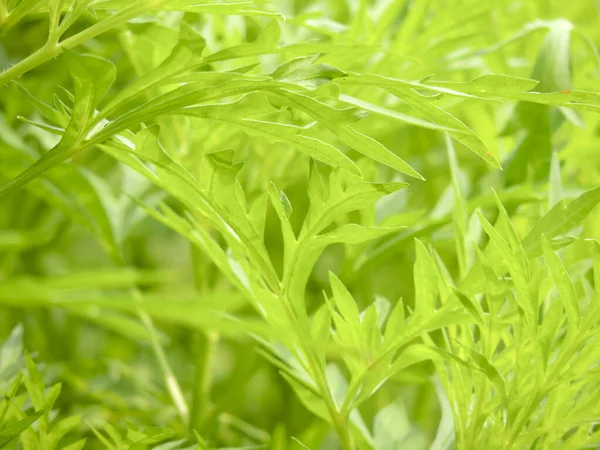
[61, 279]
